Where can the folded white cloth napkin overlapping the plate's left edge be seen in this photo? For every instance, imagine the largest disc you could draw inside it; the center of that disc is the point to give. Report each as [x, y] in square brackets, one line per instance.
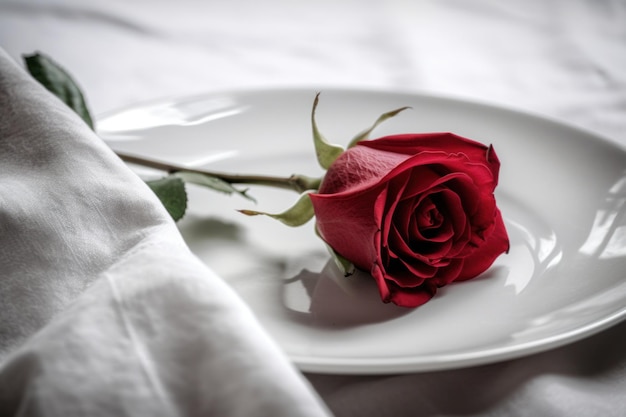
[104, 310]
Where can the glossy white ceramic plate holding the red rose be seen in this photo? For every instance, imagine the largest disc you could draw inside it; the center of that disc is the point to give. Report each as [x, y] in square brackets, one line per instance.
[562, 192]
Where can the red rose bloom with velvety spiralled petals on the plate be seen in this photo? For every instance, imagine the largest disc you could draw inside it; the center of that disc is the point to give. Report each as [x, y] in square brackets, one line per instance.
[417, 211]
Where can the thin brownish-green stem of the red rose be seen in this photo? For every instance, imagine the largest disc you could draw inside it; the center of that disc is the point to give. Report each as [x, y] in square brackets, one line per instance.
[298, 183]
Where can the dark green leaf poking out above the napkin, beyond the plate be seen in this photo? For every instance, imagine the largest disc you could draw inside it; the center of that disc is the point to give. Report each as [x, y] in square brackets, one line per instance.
[59, 82]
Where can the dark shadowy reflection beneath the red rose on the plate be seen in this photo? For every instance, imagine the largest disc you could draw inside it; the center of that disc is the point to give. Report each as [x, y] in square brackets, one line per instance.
[329, 300]
